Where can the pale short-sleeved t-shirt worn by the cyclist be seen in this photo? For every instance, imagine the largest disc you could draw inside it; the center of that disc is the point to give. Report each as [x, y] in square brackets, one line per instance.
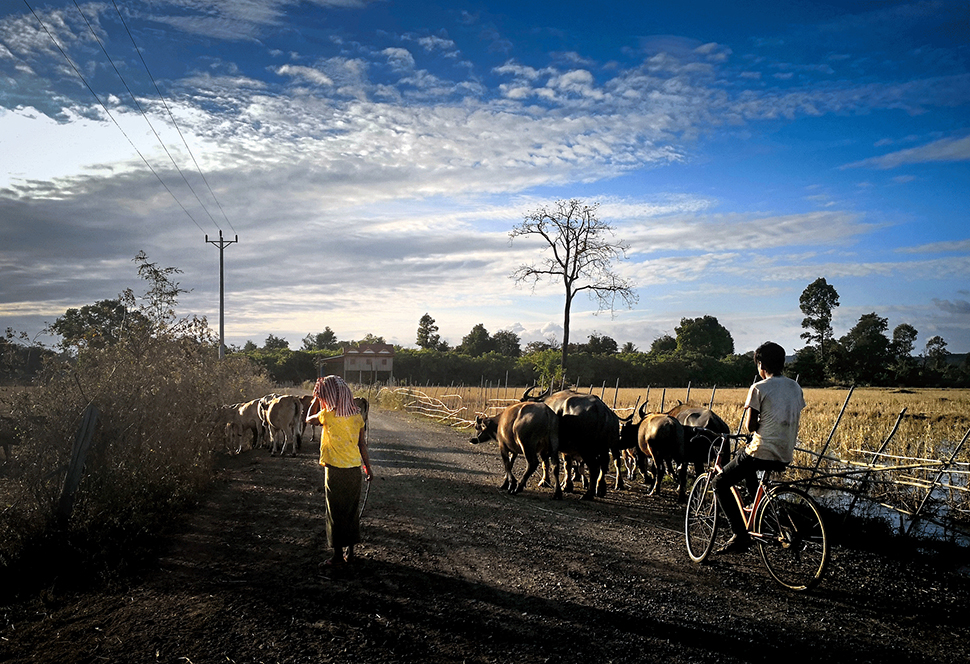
[779, 402]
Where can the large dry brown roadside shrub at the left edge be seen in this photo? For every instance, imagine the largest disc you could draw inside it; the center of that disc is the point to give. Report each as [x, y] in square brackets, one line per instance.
[157, 390]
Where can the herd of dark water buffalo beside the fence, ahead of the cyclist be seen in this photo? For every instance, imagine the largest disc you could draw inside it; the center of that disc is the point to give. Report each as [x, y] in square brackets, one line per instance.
[583, 430]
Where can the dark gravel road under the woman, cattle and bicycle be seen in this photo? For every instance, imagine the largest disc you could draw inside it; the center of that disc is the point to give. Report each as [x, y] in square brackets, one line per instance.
[453, 570]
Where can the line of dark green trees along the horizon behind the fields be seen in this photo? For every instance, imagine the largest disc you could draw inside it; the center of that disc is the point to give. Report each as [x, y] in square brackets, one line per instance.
[701, 352]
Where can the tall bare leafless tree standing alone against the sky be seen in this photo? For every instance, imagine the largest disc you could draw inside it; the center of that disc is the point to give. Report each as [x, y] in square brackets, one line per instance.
[582, 255]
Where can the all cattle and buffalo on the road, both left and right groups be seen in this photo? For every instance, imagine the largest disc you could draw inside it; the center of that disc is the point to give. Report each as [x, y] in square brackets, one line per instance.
[563, 428]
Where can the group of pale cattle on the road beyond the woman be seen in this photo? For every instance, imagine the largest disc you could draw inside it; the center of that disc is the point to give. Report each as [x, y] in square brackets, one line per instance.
[272, 420]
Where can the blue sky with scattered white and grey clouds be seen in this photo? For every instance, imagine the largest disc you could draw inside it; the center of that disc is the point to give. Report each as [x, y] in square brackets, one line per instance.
[372, 157]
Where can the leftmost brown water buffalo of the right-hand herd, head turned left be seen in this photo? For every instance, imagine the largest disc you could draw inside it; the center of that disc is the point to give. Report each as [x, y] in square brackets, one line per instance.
[528, 428]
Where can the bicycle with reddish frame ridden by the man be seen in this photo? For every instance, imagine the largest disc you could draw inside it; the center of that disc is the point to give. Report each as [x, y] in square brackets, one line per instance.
[784, 521]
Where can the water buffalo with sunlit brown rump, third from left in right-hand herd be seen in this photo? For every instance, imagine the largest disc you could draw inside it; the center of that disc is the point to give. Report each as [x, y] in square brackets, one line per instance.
[668, 443]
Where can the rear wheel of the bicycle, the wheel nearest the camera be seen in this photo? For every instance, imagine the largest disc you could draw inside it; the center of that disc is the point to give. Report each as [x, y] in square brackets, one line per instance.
[794, 545]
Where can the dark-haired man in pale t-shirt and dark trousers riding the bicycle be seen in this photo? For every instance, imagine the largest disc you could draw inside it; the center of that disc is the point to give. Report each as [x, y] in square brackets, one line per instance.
[772, 411]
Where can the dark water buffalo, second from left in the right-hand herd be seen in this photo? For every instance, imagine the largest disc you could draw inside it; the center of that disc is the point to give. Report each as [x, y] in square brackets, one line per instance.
[588, 429]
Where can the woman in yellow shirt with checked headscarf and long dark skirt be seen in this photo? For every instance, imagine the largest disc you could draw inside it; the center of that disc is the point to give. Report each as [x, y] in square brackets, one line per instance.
[343, 448]
